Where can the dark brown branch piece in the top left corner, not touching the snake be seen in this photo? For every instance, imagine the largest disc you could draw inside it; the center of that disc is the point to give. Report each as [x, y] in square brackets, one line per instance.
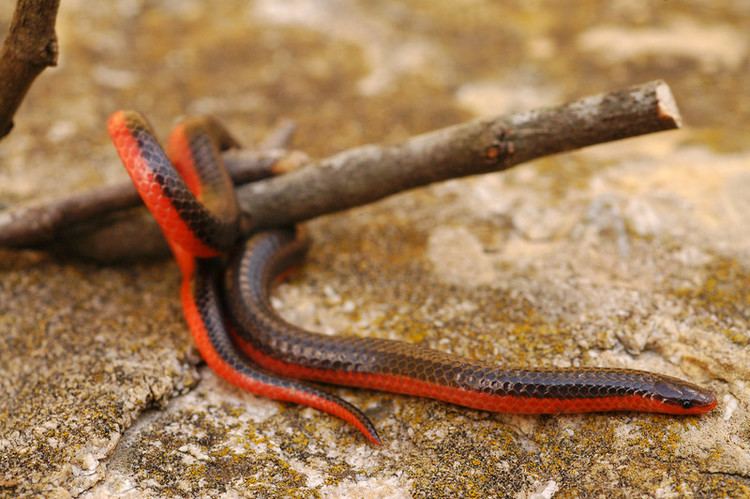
[31, 46]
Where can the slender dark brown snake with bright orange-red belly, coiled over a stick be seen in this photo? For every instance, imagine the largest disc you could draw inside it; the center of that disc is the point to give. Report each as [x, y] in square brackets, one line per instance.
[227, 281]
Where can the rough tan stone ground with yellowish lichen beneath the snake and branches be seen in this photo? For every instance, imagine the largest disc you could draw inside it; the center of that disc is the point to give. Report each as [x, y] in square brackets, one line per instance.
[632, 254]
